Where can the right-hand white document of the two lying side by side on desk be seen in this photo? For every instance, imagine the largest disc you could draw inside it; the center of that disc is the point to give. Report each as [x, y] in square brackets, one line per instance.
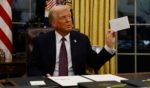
[105, 77]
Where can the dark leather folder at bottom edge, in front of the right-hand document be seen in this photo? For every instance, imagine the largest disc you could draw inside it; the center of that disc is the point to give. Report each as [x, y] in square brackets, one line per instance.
[103, 84]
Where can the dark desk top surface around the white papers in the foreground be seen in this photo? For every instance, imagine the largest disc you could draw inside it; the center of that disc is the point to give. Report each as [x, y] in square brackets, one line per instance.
[24, 82]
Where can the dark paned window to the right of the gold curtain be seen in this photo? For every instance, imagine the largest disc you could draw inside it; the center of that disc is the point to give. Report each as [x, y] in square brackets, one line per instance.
[134, 44]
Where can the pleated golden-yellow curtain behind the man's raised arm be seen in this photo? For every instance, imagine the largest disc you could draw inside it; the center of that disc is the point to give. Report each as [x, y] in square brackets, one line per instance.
[92, 18]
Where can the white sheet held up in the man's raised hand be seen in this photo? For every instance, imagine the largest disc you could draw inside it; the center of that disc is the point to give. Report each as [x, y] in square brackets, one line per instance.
[119, 23]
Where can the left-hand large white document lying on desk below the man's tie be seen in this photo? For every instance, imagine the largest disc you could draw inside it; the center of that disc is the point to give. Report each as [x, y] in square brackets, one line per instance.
[69, 80]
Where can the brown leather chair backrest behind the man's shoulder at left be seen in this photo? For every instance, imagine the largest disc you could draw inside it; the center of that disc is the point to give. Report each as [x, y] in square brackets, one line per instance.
[31, 34]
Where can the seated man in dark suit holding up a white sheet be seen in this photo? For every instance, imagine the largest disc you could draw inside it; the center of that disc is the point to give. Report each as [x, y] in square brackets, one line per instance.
[45, 55]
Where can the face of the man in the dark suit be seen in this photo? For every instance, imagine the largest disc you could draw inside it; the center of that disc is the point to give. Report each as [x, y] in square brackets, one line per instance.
[63, 21]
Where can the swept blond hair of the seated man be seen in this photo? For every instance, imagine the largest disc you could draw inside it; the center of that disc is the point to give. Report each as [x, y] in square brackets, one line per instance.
[55, 9]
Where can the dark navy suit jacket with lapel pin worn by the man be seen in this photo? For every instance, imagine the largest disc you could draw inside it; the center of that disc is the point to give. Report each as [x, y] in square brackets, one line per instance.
[43, 57]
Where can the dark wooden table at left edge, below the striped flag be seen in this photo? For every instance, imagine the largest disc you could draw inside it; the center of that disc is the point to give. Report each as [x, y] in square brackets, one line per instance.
[13, 69]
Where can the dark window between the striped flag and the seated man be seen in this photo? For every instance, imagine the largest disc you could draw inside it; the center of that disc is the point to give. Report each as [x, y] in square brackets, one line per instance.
[22, 11]
